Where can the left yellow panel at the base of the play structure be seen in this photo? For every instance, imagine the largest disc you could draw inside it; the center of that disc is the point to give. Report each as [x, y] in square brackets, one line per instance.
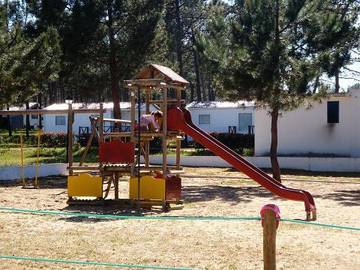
[85, 185]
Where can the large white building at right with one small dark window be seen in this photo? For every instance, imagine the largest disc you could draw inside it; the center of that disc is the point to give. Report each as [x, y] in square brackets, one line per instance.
[327, 128]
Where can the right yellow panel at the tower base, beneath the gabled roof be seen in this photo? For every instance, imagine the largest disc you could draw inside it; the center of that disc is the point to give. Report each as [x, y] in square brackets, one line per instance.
[150, 188]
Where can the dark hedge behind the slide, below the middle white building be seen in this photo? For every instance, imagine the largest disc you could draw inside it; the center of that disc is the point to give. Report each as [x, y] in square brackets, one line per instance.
[237, 142]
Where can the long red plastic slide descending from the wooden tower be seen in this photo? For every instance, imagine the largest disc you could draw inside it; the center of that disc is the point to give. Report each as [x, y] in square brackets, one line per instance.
[180, 119]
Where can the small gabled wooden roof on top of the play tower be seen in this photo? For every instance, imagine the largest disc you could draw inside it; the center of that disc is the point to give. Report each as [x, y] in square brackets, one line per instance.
[154, 71]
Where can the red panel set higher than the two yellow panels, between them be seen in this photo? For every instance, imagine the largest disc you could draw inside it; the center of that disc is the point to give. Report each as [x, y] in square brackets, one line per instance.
[116, 152]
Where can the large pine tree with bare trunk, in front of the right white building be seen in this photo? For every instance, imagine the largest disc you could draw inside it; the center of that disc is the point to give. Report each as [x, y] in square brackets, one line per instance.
[280, 47]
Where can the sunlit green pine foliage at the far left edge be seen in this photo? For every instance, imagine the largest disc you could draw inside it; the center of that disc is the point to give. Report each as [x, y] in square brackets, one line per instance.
[25, 62]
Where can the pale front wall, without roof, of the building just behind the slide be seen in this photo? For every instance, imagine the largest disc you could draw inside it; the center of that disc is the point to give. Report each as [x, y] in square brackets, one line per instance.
[220, 118]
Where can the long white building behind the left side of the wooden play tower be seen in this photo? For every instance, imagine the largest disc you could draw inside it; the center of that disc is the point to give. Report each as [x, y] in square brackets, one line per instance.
[58, 123]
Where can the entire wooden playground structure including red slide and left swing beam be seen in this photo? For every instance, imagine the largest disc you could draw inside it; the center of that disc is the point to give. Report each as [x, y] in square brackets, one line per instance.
[120, 152]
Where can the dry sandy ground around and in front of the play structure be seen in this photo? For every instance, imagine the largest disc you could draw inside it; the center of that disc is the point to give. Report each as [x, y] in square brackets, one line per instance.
[194, 244]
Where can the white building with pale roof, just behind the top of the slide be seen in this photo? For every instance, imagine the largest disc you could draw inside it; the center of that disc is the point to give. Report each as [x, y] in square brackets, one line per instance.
[215, 116]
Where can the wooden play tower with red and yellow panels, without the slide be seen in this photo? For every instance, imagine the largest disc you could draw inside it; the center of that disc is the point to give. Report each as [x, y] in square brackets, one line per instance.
[125, 151]
